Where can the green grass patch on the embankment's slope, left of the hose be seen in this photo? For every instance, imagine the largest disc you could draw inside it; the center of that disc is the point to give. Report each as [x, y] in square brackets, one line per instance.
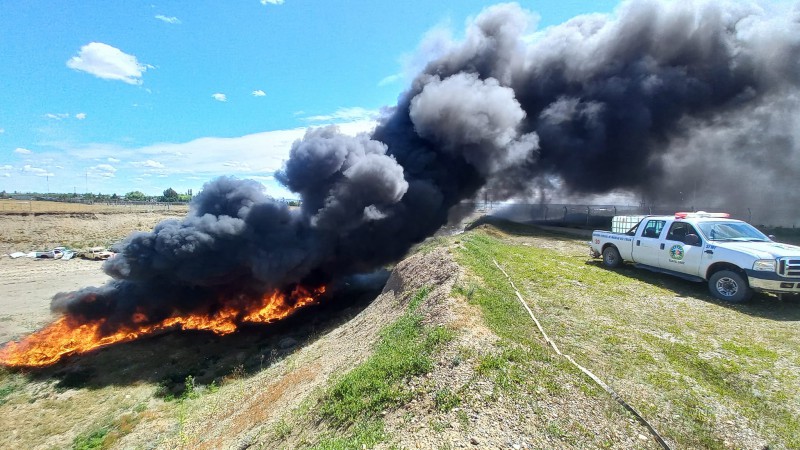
[405, 349]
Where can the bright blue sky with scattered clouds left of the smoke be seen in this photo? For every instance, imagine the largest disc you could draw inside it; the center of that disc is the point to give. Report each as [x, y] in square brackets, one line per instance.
[113, 97]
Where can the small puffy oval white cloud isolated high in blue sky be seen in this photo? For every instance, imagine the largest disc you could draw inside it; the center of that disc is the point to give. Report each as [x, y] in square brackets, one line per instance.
[107, 62]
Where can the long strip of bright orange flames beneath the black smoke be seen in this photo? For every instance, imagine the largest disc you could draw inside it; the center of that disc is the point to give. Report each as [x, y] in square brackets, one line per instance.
[66, 337]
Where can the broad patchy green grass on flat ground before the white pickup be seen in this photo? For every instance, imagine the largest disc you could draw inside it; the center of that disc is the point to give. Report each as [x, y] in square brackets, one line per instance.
[687, 361]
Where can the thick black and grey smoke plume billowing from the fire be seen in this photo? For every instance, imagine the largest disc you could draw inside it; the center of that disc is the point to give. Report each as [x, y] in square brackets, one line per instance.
[657, 97]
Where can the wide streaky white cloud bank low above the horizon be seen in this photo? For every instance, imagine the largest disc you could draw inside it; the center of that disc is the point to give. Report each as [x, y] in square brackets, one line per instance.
[161, 165]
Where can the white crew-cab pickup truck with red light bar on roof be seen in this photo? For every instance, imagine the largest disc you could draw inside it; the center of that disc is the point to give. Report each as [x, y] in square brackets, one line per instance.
[732, 256]
